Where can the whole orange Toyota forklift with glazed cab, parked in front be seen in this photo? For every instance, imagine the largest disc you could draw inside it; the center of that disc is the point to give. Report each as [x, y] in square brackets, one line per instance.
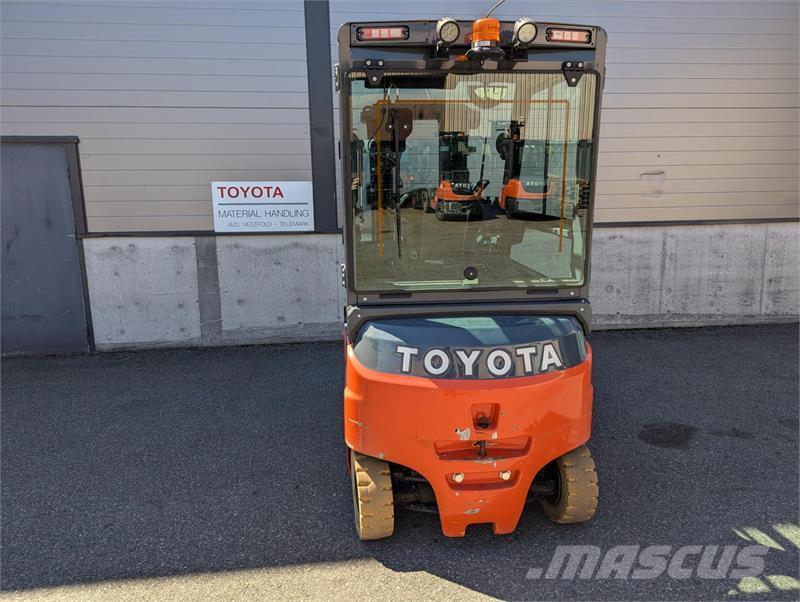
[468, 389]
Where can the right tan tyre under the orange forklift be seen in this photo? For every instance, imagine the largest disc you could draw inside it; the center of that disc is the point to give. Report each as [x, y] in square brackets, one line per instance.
[575, 498]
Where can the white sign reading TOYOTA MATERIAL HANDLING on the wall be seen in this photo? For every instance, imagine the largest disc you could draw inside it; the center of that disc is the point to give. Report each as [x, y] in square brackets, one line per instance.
[262, 206]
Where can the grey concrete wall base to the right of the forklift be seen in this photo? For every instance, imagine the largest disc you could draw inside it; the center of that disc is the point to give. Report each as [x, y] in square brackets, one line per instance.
[693, 275]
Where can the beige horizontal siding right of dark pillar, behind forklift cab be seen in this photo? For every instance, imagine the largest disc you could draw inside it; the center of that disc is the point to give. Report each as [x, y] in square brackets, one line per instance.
[700, 115]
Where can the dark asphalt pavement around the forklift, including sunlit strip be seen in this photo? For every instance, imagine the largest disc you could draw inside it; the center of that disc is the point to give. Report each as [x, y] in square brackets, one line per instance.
[220, 472]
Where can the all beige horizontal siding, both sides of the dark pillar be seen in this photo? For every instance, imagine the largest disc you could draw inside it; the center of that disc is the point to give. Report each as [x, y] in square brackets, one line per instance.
[700, 120]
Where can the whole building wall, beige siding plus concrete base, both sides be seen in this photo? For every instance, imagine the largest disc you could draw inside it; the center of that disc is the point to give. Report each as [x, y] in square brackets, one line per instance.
[700, 123]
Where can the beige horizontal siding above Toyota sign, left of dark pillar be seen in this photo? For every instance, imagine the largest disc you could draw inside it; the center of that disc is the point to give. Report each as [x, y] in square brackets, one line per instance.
[166, 97]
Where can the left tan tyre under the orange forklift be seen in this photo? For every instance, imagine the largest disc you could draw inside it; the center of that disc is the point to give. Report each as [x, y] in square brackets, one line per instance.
[373, 503]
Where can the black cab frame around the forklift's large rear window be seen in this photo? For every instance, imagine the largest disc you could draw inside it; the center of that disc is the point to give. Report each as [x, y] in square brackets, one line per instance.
[416, 56]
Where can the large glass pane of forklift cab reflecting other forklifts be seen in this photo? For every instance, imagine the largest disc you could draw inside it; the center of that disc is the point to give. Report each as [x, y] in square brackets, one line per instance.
[470, 181]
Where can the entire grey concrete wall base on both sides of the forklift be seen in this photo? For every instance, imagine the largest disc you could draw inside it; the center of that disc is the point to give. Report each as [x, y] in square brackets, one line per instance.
[265, 289]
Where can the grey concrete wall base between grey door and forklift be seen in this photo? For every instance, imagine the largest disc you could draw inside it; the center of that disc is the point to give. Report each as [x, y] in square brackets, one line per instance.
[185, 291]
